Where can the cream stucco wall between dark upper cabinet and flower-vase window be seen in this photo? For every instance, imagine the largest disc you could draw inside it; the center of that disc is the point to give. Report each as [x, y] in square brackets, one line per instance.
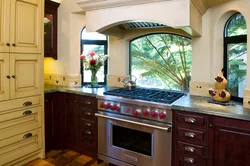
[70, 23]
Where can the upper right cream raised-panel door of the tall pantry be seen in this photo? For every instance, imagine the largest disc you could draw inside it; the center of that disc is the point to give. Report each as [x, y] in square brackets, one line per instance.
[26, 26]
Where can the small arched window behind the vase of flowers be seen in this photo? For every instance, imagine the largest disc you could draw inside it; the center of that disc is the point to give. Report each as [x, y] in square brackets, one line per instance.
[93, 41]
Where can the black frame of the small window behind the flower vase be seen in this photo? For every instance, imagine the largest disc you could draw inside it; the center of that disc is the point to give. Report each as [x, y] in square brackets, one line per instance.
[94, 42]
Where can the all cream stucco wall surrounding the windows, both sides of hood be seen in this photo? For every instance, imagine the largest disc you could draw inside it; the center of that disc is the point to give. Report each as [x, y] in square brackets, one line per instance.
[207, 50]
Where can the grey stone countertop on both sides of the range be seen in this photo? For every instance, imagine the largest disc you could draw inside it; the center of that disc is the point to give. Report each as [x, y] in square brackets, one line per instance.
[196, 104]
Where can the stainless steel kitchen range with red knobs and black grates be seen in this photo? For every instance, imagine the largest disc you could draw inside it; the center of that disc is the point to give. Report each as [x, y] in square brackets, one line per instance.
[134, 126]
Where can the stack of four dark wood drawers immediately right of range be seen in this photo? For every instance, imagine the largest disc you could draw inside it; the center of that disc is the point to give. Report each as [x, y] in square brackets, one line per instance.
[190, 139]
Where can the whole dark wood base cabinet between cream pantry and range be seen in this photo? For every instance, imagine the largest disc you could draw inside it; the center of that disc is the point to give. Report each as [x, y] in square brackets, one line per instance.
[70, 123]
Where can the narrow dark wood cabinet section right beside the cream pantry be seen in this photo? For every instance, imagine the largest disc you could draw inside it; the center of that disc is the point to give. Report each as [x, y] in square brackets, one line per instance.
[53, 121]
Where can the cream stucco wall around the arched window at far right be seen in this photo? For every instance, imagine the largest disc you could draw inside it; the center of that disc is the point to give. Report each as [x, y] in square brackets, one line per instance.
[208, 49]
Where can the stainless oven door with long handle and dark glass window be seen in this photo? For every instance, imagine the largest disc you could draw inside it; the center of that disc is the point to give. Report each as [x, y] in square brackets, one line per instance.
[128, 141]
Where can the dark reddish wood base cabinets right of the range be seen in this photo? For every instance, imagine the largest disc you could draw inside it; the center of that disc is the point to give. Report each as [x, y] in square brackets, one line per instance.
[206, 140]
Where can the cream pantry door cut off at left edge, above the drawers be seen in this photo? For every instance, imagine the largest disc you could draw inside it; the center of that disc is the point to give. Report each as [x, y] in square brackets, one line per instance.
[4, 74]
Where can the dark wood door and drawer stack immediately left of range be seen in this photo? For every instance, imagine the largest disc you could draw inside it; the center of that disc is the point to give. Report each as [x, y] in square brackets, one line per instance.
[80, 124]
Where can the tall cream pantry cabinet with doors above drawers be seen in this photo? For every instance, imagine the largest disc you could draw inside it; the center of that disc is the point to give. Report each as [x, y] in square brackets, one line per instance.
[21, 81]
